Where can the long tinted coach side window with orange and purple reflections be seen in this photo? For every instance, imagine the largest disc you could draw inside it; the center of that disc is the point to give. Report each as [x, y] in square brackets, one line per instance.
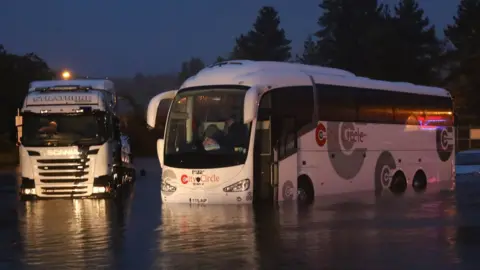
[349, 104]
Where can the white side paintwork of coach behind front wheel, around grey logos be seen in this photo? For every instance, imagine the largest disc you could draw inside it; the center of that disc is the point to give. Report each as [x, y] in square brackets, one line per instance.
[406, 149]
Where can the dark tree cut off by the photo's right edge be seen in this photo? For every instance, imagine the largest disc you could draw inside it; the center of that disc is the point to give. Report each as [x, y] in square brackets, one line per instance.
[464, 34]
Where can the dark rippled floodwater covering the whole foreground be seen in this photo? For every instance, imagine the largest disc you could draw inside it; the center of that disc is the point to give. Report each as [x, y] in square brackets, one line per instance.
[425, 232]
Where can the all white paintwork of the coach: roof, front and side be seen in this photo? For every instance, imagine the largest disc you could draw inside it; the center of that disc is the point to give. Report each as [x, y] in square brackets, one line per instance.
[413, 149]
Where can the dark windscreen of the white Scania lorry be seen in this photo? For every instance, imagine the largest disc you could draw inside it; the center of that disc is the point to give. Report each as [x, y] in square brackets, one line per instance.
[63, 129]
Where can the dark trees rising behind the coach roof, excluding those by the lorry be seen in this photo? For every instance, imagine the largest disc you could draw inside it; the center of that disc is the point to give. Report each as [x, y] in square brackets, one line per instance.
[393, 43]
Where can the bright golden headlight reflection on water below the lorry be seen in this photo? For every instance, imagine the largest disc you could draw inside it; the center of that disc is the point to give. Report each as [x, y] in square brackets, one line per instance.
[71, 233]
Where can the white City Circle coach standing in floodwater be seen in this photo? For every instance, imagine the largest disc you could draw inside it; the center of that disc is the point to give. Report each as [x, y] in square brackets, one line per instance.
[300, 132]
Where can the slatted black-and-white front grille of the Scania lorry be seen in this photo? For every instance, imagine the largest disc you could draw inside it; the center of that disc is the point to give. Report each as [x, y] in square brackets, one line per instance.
[63, 177]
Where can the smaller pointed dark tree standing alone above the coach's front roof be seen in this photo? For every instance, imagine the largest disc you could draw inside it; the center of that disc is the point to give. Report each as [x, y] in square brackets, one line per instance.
[266, 41]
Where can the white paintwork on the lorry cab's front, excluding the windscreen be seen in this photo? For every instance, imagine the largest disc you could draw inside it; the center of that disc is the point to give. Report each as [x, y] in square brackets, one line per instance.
[102, 96]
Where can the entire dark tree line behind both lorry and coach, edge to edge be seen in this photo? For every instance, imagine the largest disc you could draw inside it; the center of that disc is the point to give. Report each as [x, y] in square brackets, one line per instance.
[386, 42]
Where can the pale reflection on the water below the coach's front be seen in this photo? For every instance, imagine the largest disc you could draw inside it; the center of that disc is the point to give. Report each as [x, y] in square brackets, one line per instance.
[217, 237]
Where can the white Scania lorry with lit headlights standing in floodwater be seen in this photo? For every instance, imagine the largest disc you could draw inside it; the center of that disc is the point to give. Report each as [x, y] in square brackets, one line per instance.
[70, 144]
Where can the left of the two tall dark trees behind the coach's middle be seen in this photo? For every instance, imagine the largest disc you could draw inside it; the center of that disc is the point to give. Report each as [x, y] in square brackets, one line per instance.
[348, 36]
